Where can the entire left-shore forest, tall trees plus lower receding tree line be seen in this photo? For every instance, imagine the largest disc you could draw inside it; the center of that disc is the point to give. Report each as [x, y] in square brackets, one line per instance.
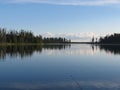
[26, 37]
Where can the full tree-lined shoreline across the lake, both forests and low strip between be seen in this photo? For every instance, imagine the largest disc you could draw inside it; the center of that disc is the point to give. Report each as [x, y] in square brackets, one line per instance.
[22, 37]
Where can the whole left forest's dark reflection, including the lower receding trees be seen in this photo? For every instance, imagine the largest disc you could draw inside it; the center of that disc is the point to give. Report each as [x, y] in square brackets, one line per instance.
[26, 50]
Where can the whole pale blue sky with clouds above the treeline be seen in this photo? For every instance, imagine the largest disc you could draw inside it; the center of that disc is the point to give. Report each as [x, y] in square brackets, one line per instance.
[62, 17]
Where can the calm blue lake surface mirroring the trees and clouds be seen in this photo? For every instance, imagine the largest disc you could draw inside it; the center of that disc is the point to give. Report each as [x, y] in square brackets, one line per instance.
[60, 67]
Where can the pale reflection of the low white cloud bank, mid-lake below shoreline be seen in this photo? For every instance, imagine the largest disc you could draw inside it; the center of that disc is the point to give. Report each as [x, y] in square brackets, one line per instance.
[74, 49]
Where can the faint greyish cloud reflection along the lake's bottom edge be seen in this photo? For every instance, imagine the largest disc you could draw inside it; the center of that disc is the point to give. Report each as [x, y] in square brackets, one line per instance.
[62, 85]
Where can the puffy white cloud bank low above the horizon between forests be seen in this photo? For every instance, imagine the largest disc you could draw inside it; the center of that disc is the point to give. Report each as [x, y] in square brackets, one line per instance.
[82, 37]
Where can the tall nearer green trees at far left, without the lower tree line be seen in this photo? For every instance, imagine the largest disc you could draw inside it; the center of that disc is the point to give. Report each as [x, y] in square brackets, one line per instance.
[22, 36]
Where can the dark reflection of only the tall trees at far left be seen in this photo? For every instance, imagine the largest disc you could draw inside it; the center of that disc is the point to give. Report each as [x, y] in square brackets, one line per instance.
[22, 51]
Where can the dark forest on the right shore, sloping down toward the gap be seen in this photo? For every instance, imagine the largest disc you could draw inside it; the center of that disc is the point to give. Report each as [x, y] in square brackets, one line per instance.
[110, 39]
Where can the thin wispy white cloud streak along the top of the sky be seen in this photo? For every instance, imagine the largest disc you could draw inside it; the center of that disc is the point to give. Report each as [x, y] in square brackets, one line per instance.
[68, 2]
